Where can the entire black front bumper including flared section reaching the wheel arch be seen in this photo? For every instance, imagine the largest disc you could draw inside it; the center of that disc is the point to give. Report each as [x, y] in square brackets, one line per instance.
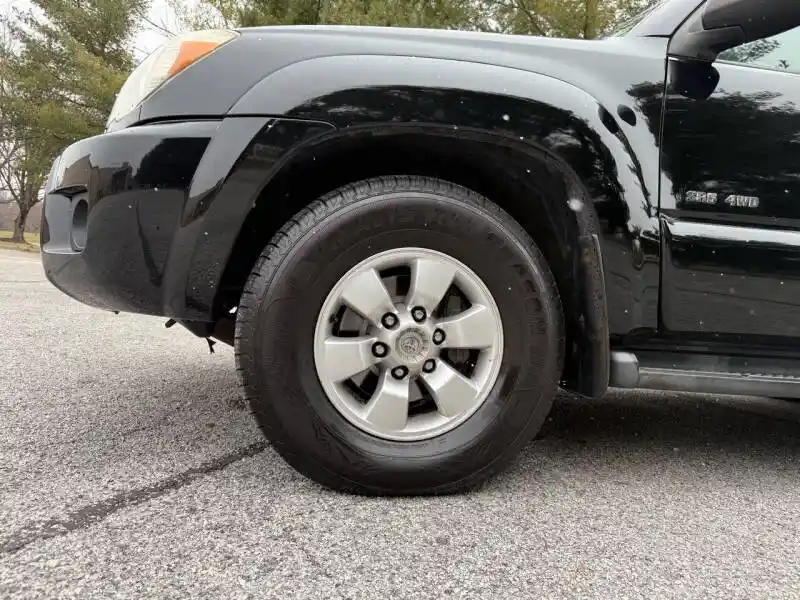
[145, 219]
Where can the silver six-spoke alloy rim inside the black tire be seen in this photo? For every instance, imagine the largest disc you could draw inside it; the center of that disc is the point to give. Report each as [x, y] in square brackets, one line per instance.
[408, 344]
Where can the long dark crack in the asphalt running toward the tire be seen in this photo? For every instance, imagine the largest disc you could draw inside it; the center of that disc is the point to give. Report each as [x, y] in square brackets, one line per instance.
[93, 513]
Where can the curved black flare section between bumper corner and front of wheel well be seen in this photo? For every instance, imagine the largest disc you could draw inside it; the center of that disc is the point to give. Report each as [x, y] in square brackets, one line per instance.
[242, 157]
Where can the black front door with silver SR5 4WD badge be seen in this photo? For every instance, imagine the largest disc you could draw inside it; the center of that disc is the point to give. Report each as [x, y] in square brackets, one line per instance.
[730, 202]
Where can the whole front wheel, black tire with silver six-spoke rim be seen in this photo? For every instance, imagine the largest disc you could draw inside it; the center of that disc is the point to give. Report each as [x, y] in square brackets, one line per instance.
[402, 335]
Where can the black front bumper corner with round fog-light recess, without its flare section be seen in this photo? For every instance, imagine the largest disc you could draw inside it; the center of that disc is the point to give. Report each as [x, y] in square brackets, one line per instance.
[112, 206]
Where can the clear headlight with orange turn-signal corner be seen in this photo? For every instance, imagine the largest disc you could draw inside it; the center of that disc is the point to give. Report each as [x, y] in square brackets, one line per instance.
[167, 61]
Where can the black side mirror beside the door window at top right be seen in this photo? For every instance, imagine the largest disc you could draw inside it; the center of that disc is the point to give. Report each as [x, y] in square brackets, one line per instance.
[724, 24]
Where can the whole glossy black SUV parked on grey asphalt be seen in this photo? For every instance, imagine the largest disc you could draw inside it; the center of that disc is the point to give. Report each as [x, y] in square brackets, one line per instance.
[412, 238]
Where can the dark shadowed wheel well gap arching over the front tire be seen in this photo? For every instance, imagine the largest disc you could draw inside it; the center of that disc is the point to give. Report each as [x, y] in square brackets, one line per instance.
[526, 185]
